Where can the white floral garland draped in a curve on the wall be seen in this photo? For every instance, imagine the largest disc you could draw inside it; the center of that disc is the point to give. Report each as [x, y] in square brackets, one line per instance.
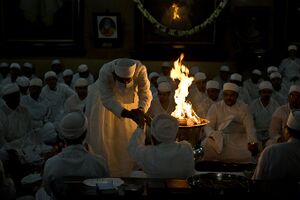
[177, 32]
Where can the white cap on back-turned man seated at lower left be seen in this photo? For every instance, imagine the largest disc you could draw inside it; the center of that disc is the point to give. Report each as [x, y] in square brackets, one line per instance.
[73, 125]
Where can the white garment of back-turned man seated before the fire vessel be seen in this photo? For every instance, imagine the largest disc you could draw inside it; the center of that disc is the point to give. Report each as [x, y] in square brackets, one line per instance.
[166, 160]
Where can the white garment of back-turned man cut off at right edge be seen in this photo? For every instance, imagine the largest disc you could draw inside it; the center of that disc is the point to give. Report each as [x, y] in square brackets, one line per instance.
[279, 161]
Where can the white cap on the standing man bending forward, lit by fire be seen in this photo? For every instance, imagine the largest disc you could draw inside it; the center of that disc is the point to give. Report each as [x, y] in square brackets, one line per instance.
[125, 67]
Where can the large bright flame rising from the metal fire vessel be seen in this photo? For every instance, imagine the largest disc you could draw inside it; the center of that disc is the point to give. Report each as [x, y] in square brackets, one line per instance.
[183, 109]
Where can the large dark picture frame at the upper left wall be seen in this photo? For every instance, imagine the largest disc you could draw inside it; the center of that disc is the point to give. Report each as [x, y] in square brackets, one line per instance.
[54, 28]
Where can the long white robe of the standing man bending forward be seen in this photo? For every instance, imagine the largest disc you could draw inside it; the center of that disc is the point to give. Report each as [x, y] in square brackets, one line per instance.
[109, 132]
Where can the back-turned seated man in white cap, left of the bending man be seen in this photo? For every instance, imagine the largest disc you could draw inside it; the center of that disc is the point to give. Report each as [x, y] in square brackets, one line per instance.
[74, 160]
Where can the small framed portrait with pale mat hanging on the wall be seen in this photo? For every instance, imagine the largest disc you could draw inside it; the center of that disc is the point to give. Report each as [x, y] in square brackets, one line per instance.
[107, 28]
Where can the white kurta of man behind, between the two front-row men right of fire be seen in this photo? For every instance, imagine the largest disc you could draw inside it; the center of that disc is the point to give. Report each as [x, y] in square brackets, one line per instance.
[262, 117]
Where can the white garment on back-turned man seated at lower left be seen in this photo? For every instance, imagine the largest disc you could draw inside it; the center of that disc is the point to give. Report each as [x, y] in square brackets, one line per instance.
[74, 160]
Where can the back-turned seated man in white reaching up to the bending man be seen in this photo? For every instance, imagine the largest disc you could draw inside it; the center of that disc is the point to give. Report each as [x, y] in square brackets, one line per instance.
[166, 158]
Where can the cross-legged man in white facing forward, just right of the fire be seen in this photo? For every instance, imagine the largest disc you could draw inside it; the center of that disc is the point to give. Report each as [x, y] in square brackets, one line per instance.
[230, 135]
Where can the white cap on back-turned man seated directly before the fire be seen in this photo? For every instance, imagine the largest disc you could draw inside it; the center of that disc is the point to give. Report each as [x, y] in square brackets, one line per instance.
[164, 128]
